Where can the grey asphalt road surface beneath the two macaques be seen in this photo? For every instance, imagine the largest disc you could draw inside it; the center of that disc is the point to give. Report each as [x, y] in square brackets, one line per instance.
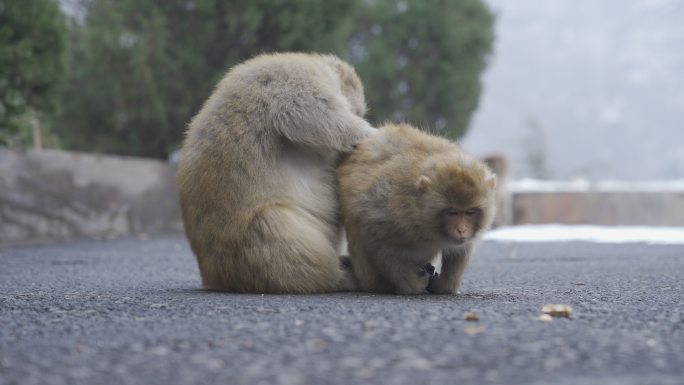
[130, 311]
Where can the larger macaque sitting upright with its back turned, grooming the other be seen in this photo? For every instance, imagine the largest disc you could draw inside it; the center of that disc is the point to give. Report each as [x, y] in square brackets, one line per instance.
[256, 177]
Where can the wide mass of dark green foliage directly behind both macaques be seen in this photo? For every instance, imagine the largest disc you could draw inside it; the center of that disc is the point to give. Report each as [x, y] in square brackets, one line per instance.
[139, 70]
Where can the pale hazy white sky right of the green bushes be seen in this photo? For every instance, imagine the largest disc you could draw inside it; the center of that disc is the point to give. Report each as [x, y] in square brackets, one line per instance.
[604, 79]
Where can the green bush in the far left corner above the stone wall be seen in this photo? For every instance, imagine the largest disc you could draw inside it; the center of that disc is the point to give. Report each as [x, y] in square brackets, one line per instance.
[32, 46]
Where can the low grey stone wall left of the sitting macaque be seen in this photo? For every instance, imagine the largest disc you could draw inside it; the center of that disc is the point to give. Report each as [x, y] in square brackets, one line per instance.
[56, 194]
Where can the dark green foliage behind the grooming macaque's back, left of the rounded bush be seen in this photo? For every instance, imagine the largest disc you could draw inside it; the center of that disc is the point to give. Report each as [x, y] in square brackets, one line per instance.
[141, 69]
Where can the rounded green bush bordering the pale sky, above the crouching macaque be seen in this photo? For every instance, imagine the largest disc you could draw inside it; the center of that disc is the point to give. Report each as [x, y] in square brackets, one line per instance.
[421, 60]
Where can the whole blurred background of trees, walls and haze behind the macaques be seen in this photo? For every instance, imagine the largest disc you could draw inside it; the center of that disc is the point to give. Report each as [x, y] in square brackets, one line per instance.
[579, 103]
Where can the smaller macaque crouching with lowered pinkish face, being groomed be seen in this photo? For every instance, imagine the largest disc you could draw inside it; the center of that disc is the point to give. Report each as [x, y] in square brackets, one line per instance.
[406, 197]
